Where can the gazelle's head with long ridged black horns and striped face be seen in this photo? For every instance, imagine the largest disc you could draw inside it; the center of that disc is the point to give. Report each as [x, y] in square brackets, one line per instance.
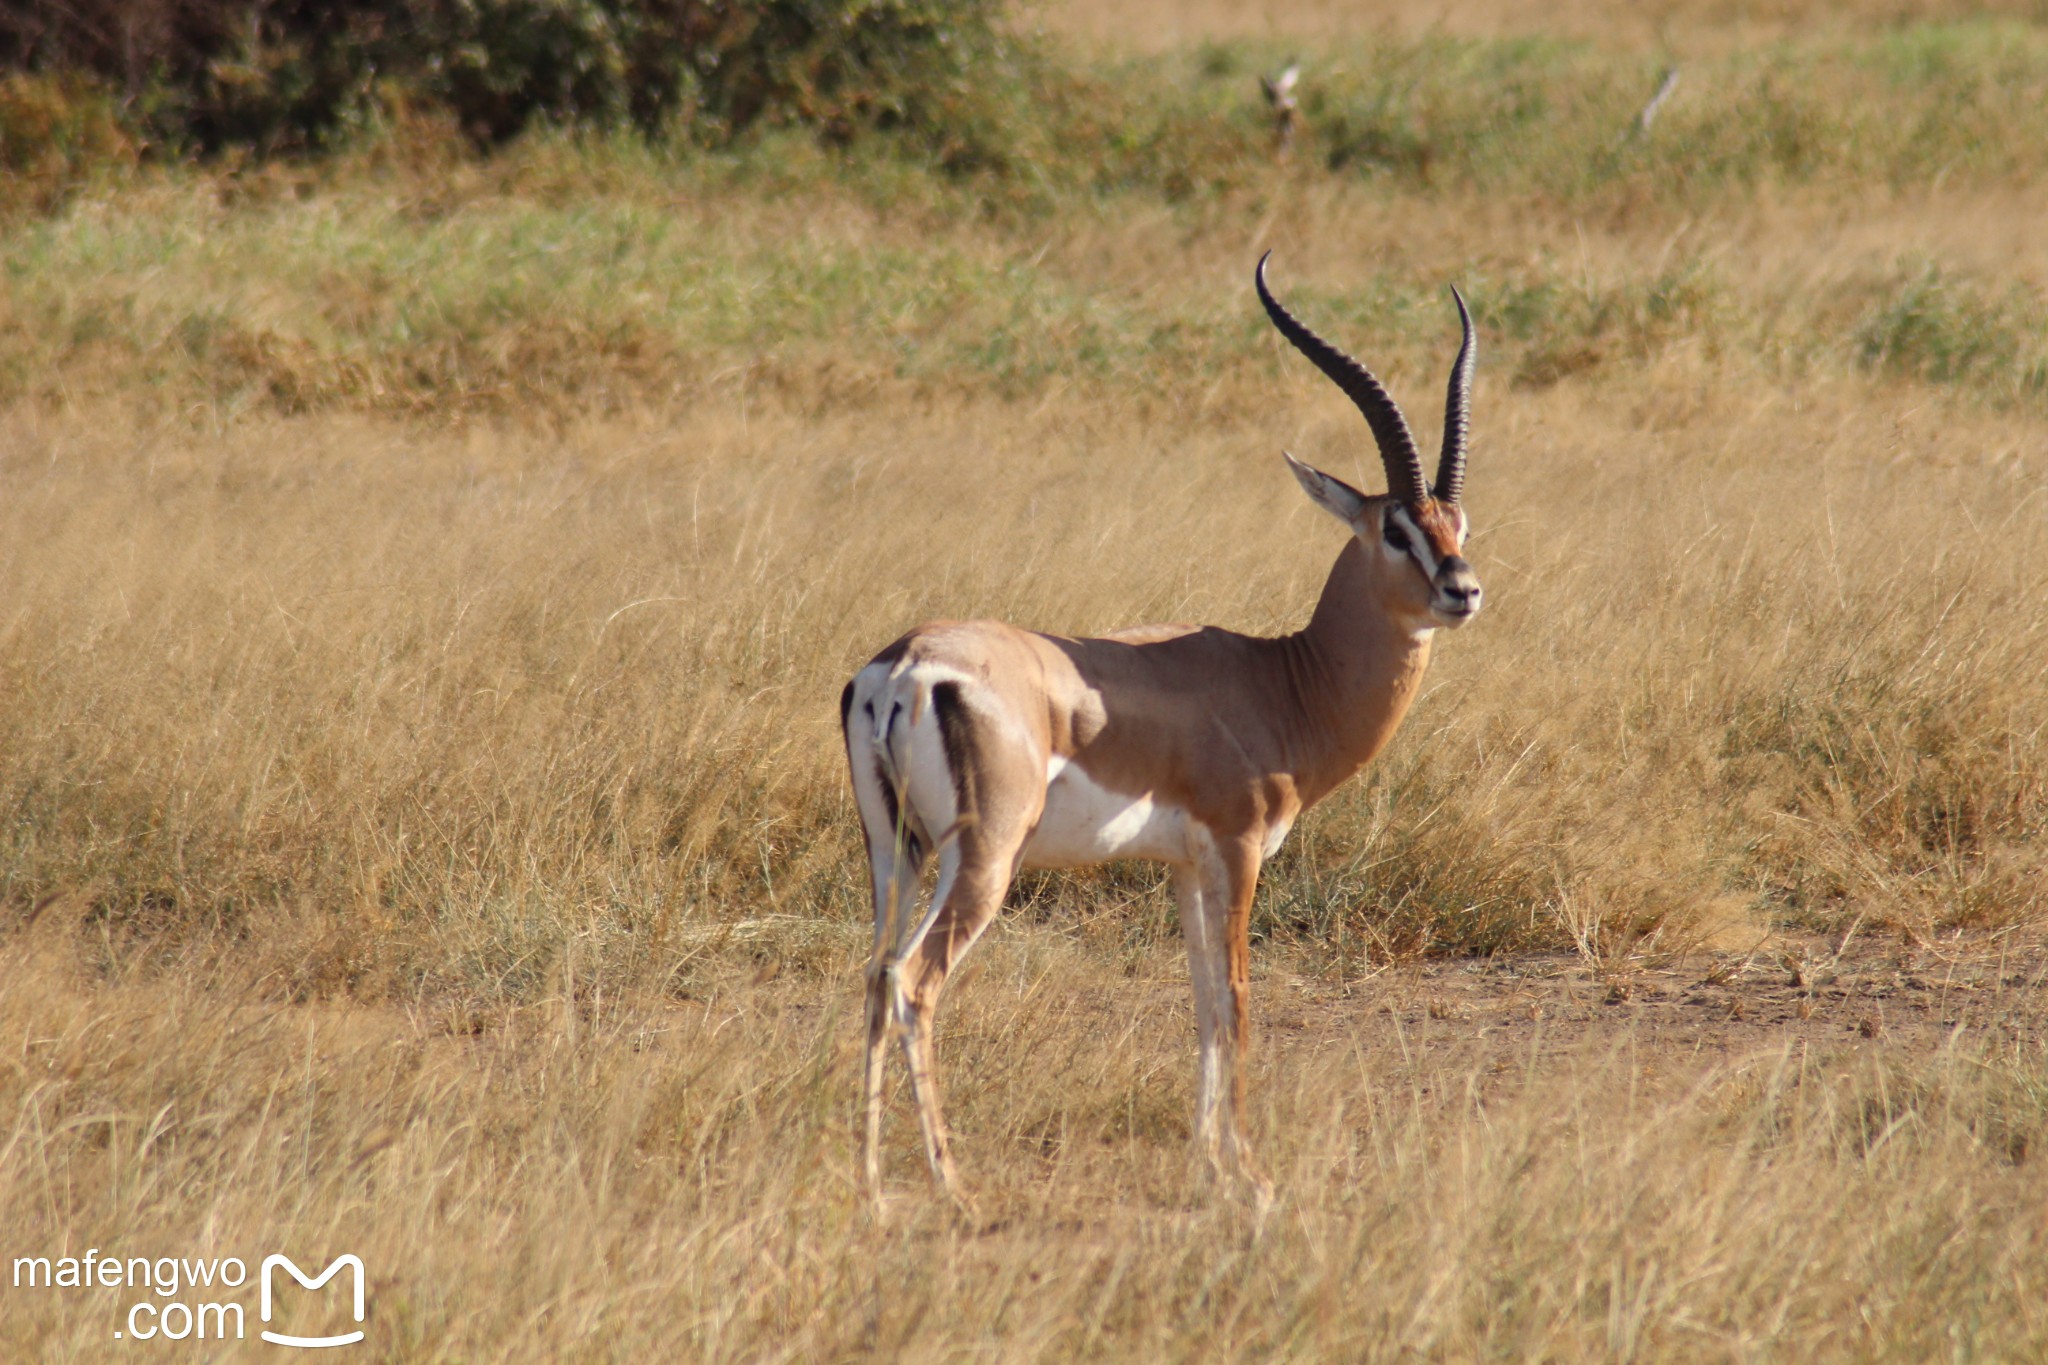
[1414, 533]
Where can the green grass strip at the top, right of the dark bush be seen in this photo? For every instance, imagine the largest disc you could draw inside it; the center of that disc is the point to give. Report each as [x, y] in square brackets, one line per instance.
[1555, 118]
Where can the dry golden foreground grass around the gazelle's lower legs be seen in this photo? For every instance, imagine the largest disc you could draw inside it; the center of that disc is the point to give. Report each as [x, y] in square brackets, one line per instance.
[642, 1178]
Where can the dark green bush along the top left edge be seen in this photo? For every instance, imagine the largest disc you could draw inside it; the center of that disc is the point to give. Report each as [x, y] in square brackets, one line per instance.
[296, 75]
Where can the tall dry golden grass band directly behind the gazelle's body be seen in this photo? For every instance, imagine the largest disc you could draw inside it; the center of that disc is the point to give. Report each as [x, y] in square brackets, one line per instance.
[472, 691]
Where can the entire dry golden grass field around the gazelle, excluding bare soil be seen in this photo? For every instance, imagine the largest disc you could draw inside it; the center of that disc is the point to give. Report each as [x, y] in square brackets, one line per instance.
[513, 760]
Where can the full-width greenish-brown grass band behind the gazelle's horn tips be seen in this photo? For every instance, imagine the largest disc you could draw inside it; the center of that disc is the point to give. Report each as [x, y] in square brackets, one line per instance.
[357, 300]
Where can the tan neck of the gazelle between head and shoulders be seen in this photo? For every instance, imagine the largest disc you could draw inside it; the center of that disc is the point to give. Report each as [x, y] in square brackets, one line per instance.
[1359, 670]
